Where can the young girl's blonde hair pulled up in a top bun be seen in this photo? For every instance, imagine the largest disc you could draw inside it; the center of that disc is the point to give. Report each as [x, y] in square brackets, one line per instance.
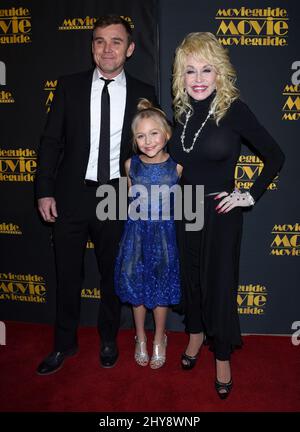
[145, 109]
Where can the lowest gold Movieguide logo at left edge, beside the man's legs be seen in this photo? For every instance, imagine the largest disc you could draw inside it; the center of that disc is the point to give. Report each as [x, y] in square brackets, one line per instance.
[22, 288]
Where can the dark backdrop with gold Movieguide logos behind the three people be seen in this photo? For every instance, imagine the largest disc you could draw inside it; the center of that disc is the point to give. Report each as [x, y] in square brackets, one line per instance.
[41, 40]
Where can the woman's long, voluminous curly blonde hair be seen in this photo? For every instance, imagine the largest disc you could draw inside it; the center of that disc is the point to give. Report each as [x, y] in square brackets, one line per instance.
[204, 46]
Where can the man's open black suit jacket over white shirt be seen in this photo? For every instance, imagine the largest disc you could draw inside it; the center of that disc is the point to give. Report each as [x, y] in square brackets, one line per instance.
[65, 144]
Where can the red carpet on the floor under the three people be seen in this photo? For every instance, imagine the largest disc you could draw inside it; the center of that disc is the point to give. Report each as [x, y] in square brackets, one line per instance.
[265, 374]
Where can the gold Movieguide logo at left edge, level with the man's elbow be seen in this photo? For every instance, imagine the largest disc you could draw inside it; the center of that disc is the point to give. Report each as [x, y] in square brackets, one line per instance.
[17, 165]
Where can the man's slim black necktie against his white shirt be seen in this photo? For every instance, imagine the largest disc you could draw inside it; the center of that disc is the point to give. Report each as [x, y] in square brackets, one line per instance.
[104, 143]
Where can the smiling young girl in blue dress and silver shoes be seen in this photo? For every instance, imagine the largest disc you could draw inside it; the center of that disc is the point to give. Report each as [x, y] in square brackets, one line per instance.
[147, 266]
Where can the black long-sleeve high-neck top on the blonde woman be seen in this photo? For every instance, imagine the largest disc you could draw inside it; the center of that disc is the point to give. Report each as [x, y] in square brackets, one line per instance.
[216, 151]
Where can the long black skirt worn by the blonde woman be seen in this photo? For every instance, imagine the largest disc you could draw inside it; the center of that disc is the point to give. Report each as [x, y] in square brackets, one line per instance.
[209, 261]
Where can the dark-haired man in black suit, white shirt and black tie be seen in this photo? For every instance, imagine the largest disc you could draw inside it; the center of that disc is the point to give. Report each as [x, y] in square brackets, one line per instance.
[76, 155]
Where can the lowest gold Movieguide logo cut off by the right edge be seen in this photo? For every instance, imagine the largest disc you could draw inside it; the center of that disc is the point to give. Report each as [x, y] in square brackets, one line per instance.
[286, 240]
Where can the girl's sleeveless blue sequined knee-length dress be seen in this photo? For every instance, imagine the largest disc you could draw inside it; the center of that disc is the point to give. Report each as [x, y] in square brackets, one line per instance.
[147, 265]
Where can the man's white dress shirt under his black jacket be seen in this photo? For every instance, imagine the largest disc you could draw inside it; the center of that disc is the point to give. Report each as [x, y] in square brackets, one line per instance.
[117, 94]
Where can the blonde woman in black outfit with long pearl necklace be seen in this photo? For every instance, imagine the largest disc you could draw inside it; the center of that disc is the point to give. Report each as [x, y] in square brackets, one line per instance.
[211, 122]
